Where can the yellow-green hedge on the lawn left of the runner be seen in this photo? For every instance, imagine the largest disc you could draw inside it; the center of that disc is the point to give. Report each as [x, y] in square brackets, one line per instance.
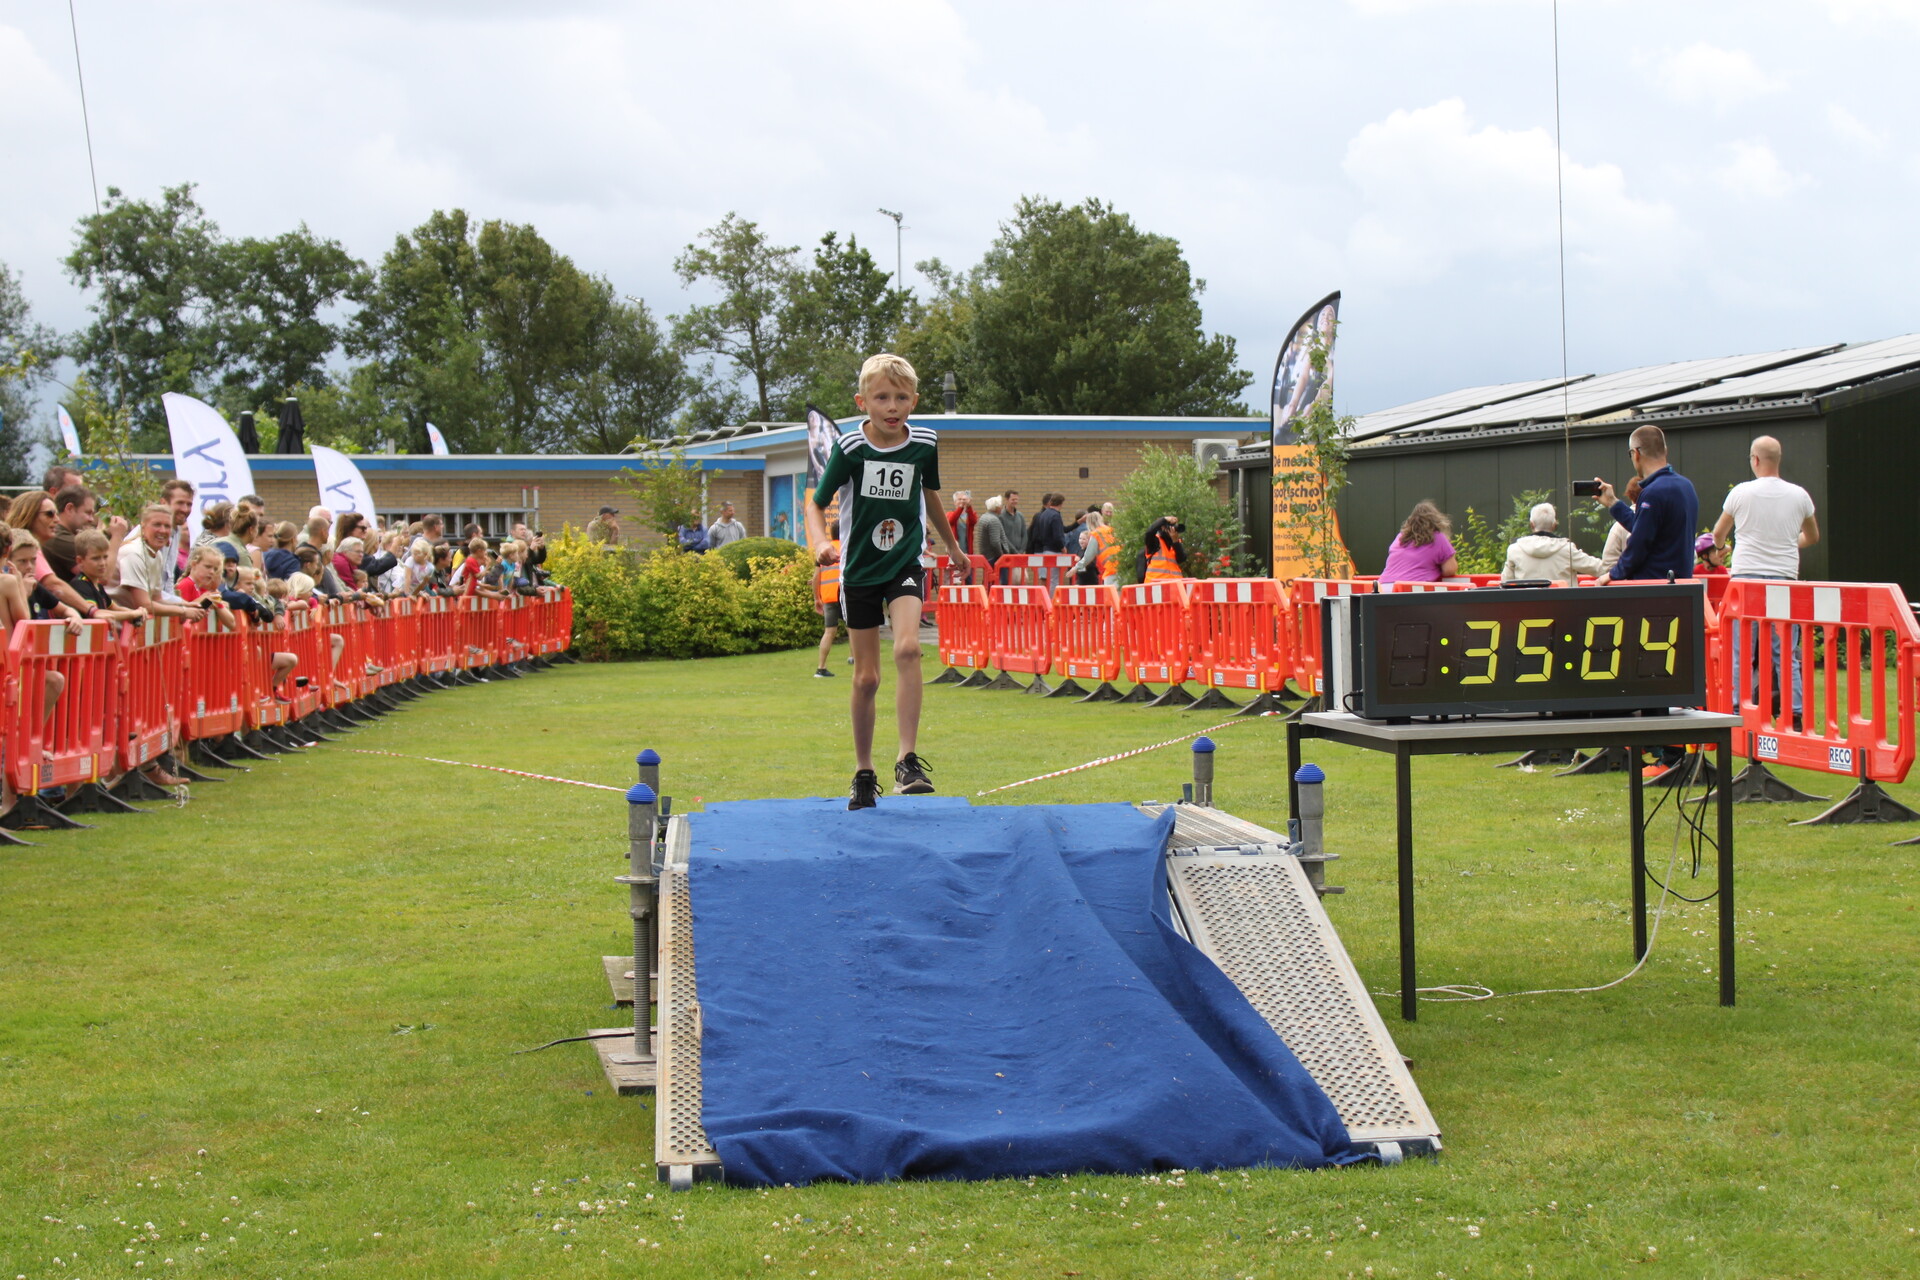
[669, 604]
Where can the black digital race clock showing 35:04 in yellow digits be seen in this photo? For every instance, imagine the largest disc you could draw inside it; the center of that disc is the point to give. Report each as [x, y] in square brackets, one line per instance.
[1500, 652]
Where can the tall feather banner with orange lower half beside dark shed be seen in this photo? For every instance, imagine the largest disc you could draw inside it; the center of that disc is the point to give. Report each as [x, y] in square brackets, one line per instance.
[1301, 515]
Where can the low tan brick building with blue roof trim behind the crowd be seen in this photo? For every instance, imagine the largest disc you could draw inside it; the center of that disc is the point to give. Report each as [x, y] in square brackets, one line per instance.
[759, 467]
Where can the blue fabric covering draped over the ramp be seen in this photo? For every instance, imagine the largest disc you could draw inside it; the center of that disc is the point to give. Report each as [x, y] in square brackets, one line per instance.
[942, 991]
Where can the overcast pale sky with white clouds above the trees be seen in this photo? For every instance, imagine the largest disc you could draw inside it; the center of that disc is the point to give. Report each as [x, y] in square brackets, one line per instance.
[1739, 178]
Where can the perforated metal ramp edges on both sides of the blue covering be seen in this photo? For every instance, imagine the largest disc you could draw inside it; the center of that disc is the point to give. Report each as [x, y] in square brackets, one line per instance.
[1237, 897]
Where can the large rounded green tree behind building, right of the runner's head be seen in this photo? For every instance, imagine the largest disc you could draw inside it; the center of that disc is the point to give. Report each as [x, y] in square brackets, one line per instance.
[1074, 312]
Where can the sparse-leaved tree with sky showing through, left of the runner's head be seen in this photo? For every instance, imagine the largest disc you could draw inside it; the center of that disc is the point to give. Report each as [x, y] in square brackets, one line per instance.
[750, 325]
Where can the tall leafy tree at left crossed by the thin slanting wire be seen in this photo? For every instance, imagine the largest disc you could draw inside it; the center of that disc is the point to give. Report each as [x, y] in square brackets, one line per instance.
[158, 277]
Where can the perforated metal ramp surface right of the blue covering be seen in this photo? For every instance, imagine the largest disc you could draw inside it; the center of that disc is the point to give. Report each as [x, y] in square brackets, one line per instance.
[1259, 918]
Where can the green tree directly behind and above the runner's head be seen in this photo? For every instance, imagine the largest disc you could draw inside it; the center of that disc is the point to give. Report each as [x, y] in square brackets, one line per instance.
[840, 312]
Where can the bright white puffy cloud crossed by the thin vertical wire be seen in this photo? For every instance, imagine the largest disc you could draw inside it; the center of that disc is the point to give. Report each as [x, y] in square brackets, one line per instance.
[1437, 191]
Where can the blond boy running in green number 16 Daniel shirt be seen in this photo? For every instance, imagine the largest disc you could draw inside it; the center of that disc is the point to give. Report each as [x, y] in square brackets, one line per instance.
[896, 475]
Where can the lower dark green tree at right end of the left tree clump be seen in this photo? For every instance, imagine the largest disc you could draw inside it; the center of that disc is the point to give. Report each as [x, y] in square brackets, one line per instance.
[631, 381]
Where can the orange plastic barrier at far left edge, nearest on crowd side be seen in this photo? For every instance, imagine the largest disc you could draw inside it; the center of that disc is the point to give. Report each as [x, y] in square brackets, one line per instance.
[57, 744]
